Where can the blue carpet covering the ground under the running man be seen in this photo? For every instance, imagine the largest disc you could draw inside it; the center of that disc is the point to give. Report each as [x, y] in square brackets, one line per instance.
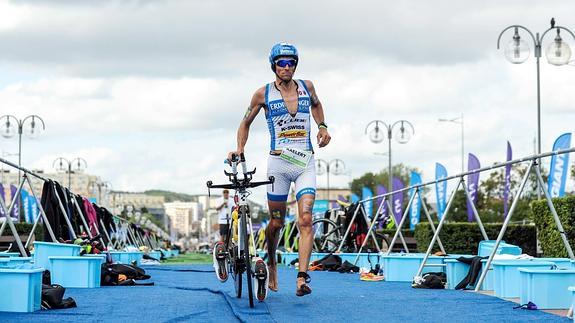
[191, 293]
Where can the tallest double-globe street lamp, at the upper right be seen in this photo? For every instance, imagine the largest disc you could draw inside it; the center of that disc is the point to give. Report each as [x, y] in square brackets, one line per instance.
[517, 51]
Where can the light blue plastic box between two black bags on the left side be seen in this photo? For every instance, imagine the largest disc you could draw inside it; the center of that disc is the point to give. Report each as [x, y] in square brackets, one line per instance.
[76, 272]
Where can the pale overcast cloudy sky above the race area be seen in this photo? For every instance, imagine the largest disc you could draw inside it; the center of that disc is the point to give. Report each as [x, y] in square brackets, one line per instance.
[150, 93]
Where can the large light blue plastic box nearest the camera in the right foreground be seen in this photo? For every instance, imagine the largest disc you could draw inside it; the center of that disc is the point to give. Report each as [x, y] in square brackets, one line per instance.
[548, 289]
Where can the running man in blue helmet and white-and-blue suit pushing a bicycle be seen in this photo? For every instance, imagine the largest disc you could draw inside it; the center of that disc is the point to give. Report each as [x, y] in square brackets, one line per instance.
[288, 104]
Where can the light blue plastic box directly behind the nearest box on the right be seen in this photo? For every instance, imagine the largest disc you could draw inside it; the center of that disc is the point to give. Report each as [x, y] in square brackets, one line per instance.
[507, 278]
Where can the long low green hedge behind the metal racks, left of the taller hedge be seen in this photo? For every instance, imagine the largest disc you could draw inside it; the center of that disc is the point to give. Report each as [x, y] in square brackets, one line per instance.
[463, 237]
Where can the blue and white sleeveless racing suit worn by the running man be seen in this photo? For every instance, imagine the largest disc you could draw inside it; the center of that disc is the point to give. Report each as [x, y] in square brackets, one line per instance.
[289, 131]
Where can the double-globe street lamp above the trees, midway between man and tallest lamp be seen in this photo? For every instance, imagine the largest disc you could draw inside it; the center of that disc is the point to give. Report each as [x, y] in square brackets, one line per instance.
[403, 133]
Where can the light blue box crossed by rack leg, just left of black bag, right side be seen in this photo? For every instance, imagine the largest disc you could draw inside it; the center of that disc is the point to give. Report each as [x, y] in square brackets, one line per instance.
[404, 266]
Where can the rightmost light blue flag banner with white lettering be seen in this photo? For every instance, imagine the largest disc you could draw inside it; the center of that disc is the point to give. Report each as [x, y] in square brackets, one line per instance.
[559, 167]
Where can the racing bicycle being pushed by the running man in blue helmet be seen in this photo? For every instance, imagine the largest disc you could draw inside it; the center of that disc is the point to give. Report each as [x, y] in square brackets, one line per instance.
[236, 255]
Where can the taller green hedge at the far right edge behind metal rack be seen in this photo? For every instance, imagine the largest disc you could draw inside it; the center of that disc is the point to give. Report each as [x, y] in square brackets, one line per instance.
[548, 234]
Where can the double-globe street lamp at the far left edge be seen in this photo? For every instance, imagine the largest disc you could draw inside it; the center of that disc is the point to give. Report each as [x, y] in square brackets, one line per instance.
[9, 129]
